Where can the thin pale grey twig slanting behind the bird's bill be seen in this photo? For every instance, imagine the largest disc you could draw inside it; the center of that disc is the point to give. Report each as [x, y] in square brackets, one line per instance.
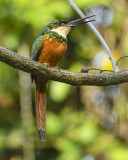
[97, 34]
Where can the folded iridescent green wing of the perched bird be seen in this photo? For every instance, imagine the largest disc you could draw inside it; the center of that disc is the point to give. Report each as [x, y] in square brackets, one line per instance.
[37, 47]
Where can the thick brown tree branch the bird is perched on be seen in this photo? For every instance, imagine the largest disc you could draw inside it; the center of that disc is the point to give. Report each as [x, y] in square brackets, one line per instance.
[33, 67]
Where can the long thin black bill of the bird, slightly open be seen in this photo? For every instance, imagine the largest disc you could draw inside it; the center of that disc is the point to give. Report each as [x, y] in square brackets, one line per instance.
[80, 21]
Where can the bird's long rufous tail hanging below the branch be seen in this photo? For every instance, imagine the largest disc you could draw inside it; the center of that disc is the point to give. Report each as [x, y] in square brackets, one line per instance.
[41, 107]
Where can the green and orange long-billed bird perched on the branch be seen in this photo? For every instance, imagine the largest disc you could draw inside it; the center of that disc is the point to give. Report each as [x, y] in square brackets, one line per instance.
[49, 48]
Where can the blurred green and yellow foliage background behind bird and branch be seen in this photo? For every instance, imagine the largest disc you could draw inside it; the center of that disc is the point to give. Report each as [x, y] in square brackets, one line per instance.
[83, 123]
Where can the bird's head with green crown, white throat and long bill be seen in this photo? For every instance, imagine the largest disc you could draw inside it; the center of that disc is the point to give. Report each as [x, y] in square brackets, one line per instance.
[63, 27]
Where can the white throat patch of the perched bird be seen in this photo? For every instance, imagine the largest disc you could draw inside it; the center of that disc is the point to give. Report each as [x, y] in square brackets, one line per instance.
[62, 31]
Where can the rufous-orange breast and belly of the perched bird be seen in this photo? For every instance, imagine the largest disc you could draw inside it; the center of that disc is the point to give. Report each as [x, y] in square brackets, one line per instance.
[52, 52]
